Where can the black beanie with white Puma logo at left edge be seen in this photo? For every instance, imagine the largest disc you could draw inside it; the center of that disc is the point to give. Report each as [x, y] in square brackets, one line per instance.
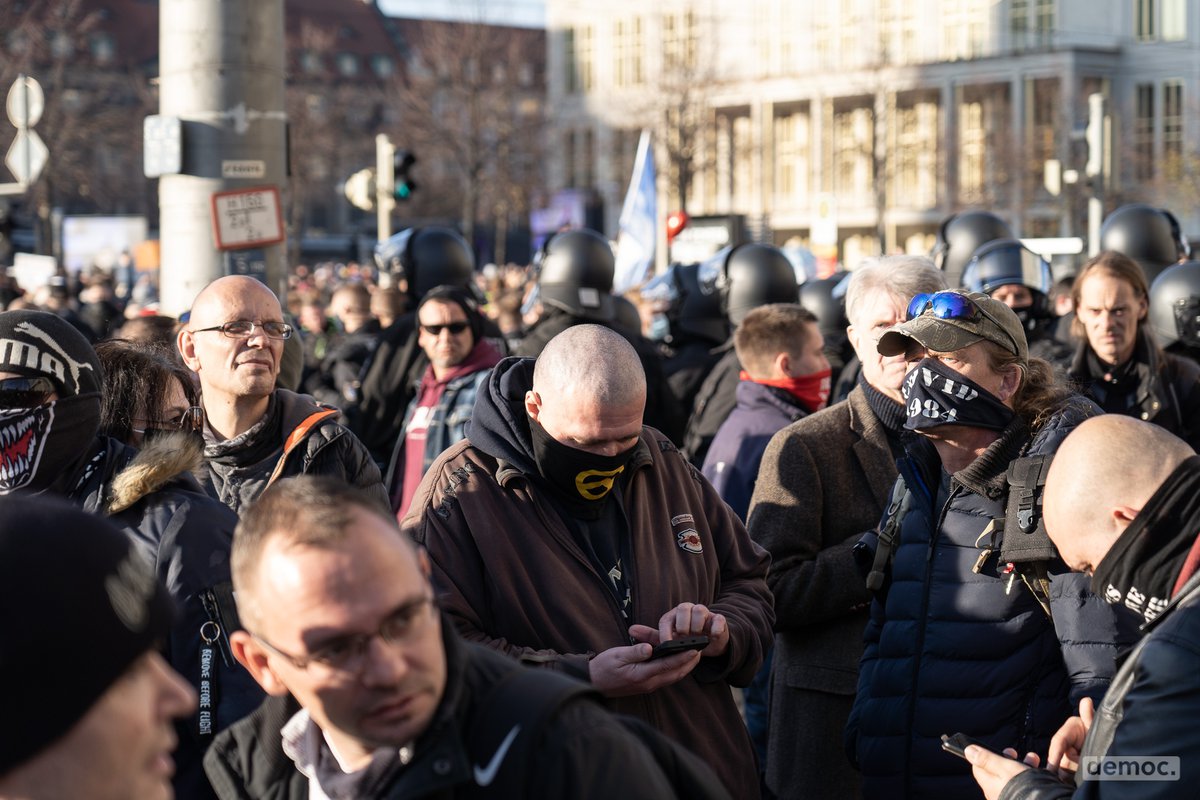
[40, 344]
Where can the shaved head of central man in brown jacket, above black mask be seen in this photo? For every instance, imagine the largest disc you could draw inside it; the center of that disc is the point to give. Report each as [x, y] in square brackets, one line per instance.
[590, 390]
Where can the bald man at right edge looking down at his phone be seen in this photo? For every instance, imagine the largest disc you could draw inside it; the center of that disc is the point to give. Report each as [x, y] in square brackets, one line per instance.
[1123, 504]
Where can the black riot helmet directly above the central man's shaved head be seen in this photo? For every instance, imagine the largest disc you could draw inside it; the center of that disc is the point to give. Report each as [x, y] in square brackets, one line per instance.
[575, 272]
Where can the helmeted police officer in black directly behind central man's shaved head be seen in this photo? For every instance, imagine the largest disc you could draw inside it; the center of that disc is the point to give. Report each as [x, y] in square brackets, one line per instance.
[575, 272]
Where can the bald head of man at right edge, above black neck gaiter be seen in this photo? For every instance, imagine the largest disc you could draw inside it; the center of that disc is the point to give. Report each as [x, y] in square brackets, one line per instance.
[1101, 479]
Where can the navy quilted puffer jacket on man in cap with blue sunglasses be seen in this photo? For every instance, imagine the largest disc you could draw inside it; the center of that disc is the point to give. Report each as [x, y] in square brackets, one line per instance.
[953, 651]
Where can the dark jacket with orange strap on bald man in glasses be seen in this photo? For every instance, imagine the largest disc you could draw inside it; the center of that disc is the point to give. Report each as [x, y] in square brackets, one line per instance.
[239, 470]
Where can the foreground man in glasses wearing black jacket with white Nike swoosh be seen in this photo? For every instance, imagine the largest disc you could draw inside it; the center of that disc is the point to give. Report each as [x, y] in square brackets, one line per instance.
[374, 696]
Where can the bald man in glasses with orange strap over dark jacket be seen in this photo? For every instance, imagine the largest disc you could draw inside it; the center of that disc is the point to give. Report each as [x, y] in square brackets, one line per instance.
[256, 434]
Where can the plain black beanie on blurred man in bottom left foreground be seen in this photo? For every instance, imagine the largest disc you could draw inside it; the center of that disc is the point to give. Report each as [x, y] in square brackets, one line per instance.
[77, 607]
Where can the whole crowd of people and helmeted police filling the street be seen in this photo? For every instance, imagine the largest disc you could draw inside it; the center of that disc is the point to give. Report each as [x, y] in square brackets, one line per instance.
[422, 530]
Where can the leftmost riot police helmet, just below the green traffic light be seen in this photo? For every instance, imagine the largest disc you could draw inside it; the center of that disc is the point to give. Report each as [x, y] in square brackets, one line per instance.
[428, 257]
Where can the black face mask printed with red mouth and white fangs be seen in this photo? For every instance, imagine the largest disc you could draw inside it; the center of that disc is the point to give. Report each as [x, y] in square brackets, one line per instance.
[39, 446]
